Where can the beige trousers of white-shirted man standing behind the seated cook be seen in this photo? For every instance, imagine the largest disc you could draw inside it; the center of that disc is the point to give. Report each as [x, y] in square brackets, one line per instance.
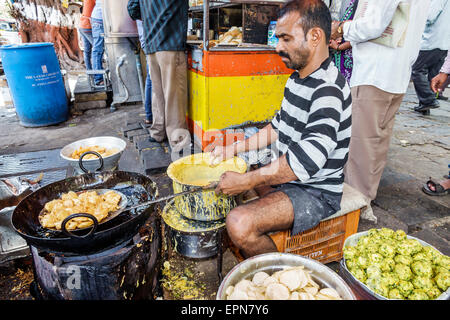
[373, 114]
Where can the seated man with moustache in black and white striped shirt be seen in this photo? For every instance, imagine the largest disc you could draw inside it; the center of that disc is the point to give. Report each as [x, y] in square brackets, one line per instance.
[311, 132]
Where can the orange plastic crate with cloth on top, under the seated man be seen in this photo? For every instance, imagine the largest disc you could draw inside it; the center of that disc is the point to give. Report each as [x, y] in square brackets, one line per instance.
[324, 242]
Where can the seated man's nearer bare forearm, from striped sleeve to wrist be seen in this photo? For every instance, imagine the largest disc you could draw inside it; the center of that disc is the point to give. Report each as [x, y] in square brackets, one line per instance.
[277, 172]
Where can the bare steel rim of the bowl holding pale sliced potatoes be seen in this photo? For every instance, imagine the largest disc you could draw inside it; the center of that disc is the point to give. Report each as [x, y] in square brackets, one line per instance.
[272, 262]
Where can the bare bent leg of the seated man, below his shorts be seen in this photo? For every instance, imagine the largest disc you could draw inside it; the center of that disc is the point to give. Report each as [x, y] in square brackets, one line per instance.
[248, 224]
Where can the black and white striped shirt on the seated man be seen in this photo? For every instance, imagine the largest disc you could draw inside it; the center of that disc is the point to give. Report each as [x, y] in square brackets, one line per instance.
[314, 128]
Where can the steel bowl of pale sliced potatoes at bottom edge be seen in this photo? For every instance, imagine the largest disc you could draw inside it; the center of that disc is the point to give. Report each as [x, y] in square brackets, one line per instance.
[283, 276]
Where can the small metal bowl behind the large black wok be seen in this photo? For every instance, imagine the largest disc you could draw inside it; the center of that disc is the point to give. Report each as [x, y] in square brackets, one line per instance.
[109, 163]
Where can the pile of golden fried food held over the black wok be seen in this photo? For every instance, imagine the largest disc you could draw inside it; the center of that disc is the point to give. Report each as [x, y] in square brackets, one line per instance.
[99, 205]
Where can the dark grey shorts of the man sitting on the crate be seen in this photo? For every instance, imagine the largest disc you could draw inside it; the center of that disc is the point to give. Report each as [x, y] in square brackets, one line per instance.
[310, 205]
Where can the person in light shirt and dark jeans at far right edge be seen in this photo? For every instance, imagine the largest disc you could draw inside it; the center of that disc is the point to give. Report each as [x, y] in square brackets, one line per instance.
[434, 46]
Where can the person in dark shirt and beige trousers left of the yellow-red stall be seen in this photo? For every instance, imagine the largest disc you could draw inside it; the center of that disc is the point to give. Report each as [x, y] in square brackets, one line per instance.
[165, 30]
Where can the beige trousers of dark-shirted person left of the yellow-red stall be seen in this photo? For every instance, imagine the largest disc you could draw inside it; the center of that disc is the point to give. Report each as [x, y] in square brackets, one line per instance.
[168, 72]
